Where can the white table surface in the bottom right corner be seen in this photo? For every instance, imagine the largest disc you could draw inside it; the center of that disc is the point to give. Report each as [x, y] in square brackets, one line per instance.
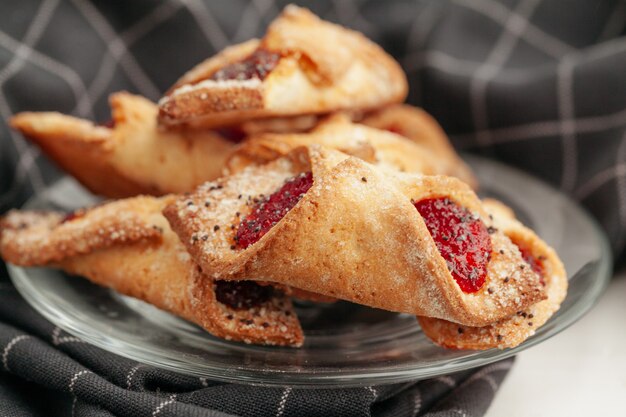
[579, 372]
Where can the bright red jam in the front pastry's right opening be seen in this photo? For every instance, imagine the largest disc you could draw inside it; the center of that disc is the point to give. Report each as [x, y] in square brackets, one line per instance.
[462, 240]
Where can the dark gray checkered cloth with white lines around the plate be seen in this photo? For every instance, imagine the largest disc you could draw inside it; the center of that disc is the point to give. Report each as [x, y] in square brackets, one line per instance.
[538, 84]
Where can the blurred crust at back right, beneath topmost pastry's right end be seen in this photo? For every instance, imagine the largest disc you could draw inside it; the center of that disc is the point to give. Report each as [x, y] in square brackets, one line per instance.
[419, 126]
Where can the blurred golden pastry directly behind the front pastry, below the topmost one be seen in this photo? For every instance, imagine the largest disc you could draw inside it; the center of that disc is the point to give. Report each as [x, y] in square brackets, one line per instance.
[384, 148]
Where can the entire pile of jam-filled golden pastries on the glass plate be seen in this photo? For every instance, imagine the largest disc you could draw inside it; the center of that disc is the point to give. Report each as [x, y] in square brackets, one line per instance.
[288, 167]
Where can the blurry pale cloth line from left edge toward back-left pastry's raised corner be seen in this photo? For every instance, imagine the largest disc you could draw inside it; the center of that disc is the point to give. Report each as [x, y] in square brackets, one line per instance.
[50, 65]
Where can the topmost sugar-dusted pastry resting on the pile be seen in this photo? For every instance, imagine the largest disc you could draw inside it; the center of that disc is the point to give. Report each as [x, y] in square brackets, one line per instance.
[303, 65]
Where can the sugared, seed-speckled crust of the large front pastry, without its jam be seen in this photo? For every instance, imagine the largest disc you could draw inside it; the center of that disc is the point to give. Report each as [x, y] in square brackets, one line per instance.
[349, 238]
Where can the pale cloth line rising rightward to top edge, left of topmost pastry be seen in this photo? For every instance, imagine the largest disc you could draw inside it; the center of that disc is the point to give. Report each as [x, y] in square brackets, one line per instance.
[145, 25]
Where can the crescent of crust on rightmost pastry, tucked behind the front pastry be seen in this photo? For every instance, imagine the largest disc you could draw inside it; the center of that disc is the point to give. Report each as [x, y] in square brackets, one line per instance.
[511, 331]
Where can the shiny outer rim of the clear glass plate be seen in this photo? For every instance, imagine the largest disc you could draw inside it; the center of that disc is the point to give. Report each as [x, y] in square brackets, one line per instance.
[332, 376]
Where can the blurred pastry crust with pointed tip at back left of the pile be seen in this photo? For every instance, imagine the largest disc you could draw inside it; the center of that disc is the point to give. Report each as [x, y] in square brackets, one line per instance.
[134, 157]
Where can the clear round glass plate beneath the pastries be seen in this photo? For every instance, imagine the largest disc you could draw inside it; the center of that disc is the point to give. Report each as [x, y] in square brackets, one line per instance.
[346, 345]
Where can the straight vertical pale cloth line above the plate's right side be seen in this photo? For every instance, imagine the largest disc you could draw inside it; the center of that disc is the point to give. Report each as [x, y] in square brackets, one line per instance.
[567, 114]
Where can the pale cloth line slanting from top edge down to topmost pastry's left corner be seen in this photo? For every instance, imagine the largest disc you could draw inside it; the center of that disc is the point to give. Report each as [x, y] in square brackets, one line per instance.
[115, 44]
